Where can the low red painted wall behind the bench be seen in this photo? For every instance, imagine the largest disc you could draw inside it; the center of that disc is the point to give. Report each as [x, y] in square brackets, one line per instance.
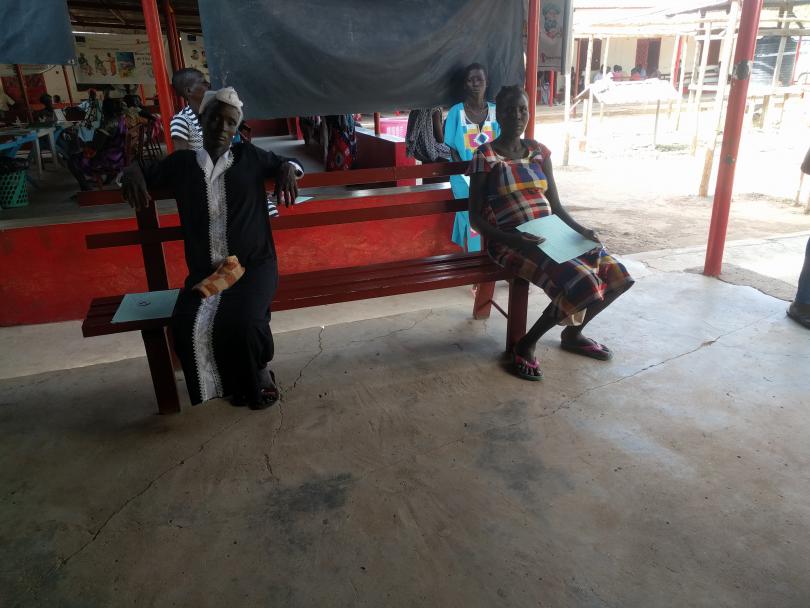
[55, 276]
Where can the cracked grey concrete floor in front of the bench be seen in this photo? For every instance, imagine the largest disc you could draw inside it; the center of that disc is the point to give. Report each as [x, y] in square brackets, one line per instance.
[404, 467]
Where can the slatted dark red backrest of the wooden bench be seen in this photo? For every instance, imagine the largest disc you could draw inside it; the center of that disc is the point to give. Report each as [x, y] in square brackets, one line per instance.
[357, 206]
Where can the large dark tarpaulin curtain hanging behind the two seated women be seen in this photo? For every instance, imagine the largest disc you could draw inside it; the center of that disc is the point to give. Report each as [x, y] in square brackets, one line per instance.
[301, 57]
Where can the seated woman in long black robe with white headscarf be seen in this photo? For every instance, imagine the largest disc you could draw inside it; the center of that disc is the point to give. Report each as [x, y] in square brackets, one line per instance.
[221, 320]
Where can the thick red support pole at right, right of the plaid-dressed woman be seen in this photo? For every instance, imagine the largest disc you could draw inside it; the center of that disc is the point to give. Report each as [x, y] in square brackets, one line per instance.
[735, 115]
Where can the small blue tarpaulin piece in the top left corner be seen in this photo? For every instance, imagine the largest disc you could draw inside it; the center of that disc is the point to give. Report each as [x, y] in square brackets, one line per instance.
[35, 31]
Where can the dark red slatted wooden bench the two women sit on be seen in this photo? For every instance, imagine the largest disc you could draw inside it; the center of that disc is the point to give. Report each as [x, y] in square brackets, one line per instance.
[326, 286]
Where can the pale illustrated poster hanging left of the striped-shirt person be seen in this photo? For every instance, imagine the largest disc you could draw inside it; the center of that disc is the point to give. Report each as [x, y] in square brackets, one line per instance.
[113, 59]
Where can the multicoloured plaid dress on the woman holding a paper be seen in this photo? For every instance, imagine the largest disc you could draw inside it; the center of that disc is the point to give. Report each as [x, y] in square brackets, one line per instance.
[514, 195]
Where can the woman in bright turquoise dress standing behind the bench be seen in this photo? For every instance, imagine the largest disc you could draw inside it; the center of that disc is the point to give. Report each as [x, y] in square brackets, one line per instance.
[469, 124]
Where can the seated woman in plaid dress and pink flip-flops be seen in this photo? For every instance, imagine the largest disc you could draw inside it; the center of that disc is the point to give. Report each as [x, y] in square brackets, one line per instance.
[512, 183]
